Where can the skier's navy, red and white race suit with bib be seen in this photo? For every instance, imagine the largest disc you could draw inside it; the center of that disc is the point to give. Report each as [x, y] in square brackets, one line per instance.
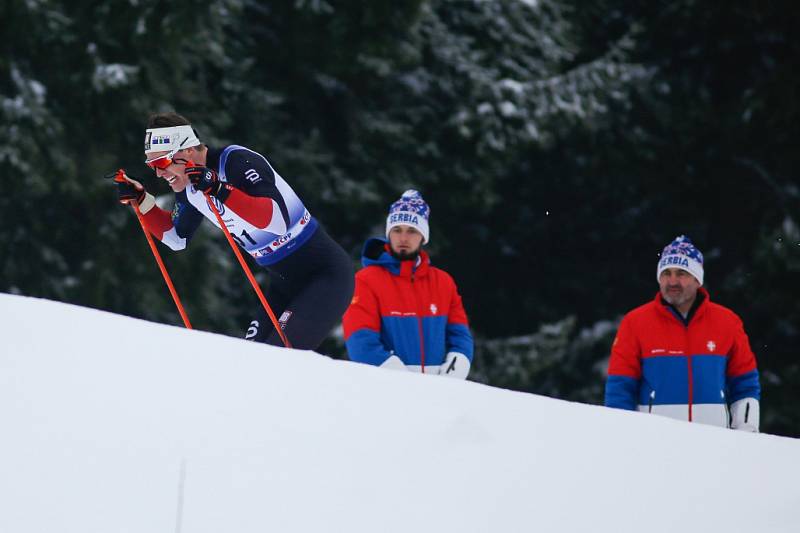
[311, 279]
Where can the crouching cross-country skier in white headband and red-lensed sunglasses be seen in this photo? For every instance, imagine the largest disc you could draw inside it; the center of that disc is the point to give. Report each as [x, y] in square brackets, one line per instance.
[311, 276]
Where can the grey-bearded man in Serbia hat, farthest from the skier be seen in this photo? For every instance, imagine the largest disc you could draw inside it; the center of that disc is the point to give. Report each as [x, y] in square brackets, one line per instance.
[682, 355]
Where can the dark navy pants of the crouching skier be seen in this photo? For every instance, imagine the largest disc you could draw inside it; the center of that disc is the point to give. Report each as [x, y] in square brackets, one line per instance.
[309, 291]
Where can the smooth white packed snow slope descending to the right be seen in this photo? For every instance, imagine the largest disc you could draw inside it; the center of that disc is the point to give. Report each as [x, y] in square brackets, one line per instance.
[113, 424]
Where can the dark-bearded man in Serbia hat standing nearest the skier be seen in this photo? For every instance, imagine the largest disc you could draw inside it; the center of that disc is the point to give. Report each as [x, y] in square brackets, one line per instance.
[405, 313]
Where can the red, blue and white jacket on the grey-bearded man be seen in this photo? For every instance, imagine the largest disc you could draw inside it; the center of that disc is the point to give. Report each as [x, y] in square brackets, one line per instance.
[691, 371]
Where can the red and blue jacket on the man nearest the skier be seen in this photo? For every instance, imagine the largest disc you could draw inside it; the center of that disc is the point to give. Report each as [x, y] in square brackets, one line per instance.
[405, 308]
